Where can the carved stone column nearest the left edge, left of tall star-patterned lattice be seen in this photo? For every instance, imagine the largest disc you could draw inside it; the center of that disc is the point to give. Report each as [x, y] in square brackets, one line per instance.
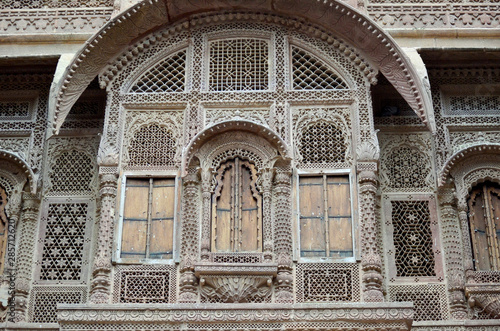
[24, 256]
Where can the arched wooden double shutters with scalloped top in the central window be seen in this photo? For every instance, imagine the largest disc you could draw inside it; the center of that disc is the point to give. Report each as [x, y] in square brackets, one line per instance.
[236, 208]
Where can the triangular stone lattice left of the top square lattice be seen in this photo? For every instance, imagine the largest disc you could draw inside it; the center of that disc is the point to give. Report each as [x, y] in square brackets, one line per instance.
[167, 76]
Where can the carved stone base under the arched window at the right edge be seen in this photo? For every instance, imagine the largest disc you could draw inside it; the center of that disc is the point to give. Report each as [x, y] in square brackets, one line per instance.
[486, 297]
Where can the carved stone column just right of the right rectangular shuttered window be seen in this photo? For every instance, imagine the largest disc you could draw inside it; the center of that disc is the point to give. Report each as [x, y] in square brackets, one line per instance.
[371, 261]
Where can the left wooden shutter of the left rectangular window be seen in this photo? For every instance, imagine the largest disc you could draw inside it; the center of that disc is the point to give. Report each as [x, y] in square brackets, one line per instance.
[135, 219]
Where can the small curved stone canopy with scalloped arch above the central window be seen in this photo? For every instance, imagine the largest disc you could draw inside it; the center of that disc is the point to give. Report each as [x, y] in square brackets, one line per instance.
[255, 142]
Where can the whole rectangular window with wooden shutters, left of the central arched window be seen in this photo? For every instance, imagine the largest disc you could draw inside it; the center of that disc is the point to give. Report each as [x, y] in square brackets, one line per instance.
[148, 218]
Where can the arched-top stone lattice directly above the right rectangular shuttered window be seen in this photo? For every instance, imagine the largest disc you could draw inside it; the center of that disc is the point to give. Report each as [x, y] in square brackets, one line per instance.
[321, 143]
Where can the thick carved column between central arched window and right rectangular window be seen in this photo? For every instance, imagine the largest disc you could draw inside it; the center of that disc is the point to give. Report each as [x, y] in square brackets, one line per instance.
[283, 235]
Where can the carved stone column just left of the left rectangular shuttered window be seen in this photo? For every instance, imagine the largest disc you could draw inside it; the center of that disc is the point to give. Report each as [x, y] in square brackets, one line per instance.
[100, 291]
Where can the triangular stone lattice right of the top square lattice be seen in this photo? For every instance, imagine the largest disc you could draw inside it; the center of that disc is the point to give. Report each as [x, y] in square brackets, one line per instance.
[310, 73]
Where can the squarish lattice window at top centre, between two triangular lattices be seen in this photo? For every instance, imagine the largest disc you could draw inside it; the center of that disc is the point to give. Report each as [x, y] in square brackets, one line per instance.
[238, 65]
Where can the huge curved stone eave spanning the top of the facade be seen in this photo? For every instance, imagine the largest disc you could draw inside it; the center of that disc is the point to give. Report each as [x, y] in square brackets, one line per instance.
[332, 16]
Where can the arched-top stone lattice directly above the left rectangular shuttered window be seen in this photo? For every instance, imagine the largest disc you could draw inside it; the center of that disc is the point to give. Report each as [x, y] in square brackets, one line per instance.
[152, 145]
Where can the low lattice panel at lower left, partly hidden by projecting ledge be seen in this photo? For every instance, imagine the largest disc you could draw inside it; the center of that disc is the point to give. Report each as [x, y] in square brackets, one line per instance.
[44, 300]
